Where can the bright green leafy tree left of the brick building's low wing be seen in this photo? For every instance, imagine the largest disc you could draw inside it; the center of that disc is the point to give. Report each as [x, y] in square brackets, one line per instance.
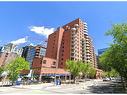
[15, 67]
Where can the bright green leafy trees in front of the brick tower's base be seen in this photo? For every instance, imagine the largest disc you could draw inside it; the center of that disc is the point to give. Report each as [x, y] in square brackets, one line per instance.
[77, 67]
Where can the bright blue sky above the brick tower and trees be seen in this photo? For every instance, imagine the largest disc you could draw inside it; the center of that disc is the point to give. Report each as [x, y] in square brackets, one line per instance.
[17, 19]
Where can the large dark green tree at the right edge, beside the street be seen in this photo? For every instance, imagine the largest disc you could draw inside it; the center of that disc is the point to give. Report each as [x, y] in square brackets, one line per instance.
[116, 56]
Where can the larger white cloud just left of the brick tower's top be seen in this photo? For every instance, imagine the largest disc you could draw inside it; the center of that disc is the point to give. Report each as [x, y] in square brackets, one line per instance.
[41, 30]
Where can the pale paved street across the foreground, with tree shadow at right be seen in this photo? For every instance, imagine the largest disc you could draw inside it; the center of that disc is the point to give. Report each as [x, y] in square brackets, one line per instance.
[87, 87]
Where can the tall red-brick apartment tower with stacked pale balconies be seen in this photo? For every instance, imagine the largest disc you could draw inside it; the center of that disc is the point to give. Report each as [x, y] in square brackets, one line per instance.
[71, 41]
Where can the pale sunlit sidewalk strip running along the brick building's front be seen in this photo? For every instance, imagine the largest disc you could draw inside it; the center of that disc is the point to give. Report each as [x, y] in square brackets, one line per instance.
[52, 85]
